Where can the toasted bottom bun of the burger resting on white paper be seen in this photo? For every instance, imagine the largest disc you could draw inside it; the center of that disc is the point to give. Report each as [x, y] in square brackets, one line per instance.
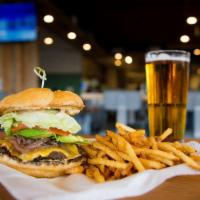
[43, 170]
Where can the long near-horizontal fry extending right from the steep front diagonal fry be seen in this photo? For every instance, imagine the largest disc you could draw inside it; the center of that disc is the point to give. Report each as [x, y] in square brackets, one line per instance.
[162, 154]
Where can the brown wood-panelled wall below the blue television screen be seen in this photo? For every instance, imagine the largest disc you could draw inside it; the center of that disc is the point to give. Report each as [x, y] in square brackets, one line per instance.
[17, 61]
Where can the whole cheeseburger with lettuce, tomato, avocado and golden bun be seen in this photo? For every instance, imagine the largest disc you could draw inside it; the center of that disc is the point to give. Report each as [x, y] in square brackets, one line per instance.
[38, 132]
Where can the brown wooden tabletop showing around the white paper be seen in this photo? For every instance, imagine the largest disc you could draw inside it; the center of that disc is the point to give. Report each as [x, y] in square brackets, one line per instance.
[181, 187]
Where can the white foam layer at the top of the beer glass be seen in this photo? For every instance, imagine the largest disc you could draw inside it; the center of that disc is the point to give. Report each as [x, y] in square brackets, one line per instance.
[156, 56]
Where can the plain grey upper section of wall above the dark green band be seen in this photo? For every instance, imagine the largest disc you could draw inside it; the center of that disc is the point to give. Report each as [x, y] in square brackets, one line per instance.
[60, 57]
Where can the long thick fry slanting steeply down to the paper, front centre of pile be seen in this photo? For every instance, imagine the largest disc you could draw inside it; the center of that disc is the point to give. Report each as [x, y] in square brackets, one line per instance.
[125, 147]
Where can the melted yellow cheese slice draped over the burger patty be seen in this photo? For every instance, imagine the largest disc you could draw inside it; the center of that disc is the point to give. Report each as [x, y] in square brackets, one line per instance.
[69, 150]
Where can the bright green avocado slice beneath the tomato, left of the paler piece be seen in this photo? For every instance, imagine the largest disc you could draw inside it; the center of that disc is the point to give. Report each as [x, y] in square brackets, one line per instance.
[34, 133]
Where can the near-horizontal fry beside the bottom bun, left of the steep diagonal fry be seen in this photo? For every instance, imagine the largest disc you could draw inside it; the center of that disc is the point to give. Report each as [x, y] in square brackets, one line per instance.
[106, 162]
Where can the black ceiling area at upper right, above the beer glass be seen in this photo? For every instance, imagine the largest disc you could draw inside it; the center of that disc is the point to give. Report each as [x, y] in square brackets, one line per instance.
[135, 25]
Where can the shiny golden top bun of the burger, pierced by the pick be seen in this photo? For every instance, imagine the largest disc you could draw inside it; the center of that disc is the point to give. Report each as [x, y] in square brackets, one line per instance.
[42, 98]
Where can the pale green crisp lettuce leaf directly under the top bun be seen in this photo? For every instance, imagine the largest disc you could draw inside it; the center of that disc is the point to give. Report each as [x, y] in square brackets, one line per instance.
[43, 118]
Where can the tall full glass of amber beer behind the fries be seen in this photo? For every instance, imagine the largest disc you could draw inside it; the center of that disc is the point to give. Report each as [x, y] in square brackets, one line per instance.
[167, 78]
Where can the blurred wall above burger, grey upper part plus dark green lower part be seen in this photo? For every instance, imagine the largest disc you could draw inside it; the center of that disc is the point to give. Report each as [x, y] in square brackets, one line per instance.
[62, 62]
